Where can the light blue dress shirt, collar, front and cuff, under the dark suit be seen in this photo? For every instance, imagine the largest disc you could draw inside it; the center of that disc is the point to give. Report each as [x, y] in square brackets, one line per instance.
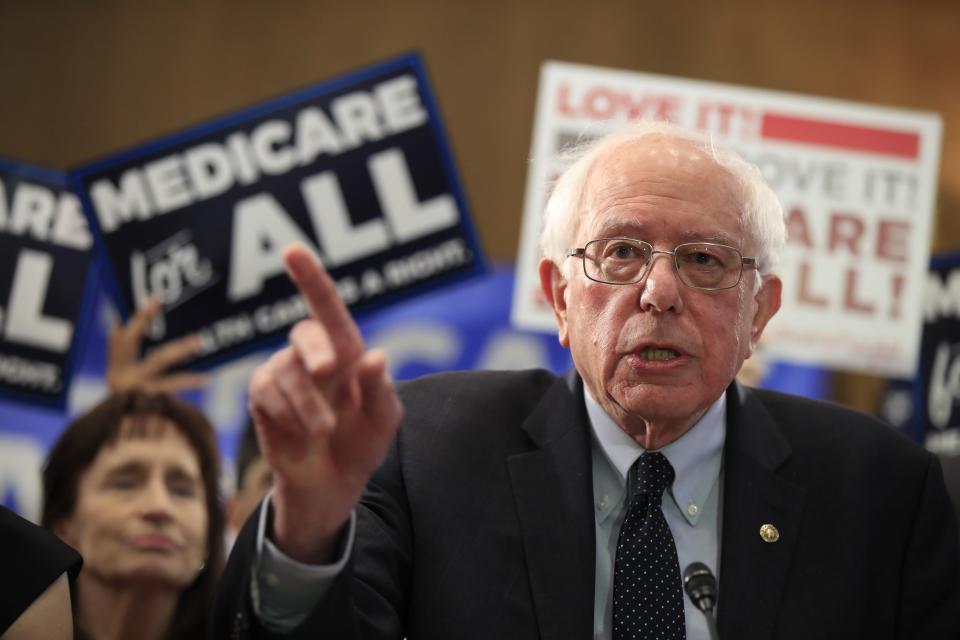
[283, 591]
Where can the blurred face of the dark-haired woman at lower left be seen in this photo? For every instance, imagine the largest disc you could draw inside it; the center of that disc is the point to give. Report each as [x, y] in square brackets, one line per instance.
[141, 512]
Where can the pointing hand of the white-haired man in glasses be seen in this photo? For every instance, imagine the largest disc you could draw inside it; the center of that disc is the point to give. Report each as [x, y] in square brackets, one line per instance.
[325, 412]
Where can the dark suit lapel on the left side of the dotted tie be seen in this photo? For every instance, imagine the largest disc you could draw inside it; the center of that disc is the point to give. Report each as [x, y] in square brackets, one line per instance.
[553, 492]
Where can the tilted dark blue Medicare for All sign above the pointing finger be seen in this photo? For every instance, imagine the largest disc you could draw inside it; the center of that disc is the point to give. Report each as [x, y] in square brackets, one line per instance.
[357, 168]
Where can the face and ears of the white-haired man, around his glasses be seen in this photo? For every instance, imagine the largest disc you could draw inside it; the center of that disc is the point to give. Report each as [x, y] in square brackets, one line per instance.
[657, 354]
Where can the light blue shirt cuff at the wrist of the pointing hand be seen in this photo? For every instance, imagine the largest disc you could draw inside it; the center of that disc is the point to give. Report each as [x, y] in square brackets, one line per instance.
[285, 591]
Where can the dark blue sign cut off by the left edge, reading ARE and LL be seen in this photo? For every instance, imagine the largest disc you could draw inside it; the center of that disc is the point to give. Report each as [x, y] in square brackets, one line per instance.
[45, 279]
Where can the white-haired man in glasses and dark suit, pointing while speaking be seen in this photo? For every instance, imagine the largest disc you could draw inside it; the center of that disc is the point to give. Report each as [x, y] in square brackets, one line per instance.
[497, 505]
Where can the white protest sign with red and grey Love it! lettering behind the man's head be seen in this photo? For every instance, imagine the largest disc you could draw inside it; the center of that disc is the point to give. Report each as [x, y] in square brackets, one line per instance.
[857, 183]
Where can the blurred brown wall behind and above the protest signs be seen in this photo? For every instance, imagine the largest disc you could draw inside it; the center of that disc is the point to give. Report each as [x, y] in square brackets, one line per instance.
[79, 80]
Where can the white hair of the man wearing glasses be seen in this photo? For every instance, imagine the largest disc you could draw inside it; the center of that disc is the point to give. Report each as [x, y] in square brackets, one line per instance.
[760, 210]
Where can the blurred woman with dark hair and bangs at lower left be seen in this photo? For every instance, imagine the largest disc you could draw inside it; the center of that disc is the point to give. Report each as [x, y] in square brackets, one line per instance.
[133, 486]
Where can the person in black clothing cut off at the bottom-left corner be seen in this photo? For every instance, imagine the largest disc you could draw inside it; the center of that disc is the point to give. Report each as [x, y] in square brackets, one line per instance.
[39, 571]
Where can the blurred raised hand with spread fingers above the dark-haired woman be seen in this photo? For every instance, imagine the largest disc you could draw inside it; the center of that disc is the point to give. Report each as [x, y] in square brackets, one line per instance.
[125, 369]
